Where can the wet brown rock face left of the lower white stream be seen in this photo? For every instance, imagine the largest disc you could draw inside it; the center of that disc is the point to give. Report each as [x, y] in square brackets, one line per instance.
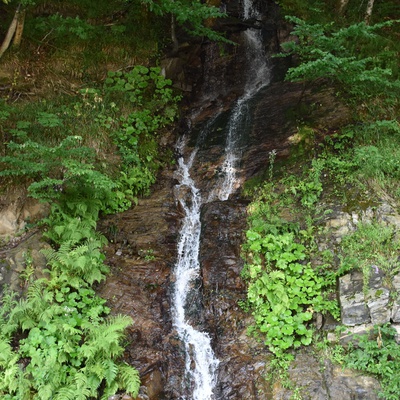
[141, 255]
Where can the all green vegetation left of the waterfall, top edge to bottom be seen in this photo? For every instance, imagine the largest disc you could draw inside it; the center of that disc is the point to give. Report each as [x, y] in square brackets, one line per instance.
[87, 153]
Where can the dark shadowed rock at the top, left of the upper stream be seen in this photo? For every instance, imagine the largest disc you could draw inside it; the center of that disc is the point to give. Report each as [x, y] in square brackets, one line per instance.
[211, 74]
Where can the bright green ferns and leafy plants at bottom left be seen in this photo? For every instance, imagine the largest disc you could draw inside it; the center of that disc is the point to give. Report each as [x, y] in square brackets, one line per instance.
[69, 344]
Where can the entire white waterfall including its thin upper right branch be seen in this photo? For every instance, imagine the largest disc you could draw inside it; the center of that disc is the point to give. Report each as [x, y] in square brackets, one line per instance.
[200, 362]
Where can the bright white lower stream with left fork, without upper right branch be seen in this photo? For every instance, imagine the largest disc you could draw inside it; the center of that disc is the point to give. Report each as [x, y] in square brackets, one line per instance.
[197, 344]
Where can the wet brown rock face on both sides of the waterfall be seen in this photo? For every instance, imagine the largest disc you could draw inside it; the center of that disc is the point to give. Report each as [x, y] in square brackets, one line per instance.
[144, 252]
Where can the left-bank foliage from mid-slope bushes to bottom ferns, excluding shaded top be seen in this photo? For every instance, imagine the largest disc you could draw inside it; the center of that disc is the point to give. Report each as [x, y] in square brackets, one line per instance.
[58, 340]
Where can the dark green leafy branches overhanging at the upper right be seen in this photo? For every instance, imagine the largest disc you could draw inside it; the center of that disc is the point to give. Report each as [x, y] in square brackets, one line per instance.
[358, 59]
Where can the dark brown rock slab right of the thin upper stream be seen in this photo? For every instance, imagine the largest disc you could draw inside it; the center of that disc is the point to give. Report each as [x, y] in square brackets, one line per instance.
[275, 117]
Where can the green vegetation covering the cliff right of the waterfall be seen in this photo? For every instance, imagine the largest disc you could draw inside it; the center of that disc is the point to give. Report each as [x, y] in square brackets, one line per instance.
[290, 279]
